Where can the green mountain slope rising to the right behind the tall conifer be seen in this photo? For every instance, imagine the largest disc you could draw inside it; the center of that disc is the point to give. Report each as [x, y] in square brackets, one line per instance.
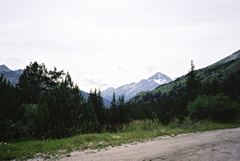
[220, 70]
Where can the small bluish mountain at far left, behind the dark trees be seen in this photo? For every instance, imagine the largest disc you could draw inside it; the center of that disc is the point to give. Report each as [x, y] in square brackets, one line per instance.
[11, 75]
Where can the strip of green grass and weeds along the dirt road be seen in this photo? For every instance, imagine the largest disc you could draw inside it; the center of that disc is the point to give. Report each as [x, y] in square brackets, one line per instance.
[136, 131]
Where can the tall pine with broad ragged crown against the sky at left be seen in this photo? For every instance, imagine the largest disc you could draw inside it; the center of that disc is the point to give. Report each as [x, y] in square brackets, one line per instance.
[36, 81]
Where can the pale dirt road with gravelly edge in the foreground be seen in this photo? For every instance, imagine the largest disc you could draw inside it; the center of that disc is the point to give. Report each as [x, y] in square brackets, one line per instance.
[220, 145]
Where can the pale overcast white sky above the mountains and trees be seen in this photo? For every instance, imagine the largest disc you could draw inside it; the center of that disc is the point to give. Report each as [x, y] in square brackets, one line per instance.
[109, 43]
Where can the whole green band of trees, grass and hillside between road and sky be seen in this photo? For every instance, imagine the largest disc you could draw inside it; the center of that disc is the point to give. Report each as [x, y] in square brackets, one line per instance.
[46, 114]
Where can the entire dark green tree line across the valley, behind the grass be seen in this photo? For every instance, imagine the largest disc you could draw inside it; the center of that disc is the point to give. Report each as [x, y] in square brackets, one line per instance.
[47, 104]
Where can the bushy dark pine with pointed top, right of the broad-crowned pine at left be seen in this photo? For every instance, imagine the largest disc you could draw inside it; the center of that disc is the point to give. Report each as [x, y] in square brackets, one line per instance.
[66, 112]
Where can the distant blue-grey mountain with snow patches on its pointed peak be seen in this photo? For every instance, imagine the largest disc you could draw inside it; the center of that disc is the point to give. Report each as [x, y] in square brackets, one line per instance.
[130, 90]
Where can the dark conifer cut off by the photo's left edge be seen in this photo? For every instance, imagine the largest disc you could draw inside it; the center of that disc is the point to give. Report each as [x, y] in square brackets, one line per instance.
[11, 113]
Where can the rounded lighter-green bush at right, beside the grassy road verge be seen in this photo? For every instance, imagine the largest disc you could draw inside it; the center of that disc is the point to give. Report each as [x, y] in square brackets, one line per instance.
[216, 108]
